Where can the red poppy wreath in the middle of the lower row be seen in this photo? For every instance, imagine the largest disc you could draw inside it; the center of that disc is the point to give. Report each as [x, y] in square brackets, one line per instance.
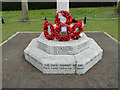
[59, 36]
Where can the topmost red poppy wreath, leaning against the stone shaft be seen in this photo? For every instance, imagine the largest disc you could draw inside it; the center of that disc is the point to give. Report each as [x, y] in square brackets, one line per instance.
[66, 14]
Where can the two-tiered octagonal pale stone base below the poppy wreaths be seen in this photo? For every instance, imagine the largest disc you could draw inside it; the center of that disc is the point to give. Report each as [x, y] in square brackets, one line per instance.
[55, 57]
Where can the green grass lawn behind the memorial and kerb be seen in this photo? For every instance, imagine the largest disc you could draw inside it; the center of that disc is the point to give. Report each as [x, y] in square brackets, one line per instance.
[12, 26]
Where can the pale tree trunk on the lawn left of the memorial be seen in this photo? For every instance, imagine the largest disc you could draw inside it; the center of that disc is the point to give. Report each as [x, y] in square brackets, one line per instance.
[24, 5]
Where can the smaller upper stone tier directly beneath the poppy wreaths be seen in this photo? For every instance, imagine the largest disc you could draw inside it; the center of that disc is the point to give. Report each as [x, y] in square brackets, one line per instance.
[56, 47]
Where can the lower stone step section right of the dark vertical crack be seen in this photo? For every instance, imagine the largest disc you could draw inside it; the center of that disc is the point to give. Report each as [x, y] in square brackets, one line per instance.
[89, 57]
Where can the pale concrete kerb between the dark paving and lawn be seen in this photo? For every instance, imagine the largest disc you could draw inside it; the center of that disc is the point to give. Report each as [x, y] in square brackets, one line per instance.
[40, 32]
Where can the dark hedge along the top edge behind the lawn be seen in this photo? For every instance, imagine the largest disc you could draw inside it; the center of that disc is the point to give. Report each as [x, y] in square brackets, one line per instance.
[6, 6]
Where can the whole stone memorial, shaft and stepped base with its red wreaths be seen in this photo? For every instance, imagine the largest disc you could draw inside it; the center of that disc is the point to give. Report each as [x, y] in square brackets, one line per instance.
[68, 55]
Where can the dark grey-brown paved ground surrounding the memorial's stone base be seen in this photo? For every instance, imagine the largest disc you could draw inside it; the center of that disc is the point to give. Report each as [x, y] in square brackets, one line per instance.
[18, 73]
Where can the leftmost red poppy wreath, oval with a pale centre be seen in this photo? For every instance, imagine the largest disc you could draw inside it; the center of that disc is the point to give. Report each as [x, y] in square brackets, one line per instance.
[45, 29]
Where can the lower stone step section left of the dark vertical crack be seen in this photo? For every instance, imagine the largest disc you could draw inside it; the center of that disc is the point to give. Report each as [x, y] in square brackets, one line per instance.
[49, 63]
